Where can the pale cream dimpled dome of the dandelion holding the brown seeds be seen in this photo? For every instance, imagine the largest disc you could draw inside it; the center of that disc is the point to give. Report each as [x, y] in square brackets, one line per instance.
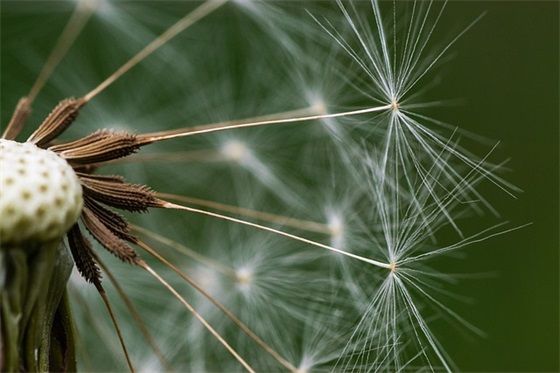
[40, 195]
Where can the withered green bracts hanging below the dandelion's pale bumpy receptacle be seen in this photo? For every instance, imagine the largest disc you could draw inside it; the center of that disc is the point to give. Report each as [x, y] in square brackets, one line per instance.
[37, 330]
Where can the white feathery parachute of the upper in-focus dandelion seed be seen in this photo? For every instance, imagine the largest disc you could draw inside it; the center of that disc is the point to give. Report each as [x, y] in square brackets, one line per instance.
[393, 63]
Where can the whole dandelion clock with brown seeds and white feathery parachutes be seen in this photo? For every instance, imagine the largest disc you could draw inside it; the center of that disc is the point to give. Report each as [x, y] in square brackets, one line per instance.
[292, 247]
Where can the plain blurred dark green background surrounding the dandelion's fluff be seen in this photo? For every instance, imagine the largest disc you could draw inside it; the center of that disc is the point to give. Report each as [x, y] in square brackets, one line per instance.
[505, 71]
